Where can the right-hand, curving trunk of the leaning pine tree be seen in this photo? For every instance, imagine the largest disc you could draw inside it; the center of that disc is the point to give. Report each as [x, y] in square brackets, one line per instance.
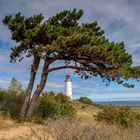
[40, 87]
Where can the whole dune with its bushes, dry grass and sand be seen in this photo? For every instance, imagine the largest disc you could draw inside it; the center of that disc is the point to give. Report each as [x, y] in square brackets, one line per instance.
[58, 118]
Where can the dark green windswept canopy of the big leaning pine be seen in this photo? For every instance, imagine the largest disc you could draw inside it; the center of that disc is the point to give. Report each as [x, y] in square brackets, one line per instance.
[82, 46]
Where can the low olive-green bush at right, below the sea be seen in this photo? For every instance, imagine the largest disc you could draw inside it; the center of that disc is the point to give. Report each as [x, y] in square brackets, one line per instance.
[122, 116]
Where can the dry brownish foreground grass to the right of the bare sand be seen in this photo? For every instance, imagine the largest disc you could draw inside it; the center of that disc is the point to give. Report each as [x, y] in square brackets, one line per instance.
[63, 129]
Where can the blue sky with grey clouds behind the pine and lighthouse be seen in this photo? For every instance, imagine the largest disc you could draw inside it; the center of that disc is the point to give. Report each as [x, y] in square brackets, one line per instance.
[120, 19]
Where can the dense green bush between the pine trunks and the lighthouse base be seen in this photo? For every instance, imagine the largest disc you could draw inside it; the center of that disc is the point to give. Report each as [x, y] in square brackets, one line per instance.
[51, 105]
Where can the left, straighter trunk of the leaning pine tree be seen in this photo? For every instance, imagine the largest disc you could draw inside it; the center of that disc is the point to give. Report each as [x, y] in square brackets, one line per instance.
[34, 68]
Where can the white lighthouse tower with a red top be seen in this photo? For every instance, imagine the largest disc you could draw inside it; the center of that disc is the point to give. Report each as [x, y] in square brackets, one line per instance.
[68, 86]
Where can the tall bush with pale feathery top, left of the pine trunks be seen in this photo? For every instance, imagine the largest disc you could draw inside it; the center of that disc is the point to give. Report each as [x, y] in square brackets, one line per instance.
[13, 99]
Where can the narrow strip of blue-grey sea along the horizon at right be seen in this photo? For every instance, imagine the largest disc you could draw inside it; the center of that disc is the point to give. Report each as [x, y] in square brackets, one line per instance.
[119, 103]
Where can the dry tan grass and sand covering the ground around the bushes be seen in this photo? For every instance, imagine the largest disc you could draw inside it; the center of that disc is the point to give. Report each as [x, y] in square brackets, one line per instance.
[84, 126]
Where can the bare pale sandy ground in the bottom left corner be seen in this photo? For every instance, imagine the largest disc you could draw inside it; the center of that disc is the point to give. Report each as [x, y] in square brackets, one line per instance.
[25, 132]
